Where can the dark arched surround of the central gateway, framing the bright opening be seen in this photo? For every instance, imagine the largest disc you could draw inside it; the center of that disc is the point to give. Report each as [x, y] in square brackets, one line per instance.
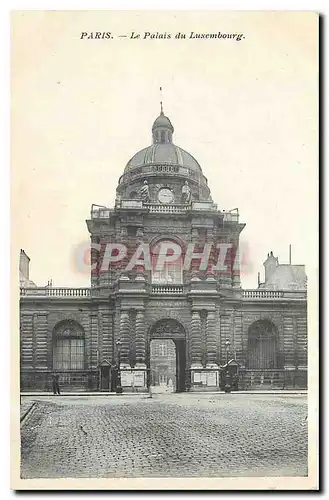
[173, 330]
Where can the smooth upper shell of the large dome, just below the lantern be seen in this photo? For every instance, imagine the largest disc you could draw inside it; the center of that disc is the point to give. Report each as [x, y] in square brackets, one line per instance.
[165, 154]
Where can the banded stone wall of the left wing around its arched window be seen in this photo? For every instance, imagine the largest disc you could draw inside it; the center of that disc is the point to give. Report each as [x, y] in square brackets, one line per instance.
[37, 323]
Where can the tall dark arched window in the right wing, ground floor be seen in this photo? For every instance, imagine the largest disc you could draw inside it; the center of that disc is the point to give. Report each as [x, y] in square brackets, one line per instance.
[262, 345]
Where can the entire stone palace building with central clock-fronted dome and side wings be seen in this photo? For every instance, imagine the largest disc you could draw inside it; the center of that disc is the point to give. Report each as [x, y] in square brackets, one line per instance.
[165, 265]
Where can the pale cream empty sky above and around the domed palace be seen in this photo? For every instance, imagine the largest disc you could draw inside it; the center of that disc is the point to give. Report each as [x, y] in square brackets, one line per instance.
[246, 110]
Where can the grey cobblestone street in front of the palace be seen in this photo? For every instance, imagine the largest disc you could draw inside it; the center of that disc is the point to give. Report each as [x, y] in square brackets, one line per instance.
[176, 435]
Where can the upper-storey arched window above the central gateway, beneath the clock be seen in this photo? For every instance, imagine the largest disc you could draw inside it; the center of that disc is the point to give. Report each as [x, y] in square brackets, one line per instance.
[167, 263]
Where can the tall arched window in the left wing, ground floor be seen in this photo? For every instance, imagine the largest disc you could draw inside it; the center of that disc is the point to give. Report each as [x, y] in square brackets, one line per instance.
[68, 347]
